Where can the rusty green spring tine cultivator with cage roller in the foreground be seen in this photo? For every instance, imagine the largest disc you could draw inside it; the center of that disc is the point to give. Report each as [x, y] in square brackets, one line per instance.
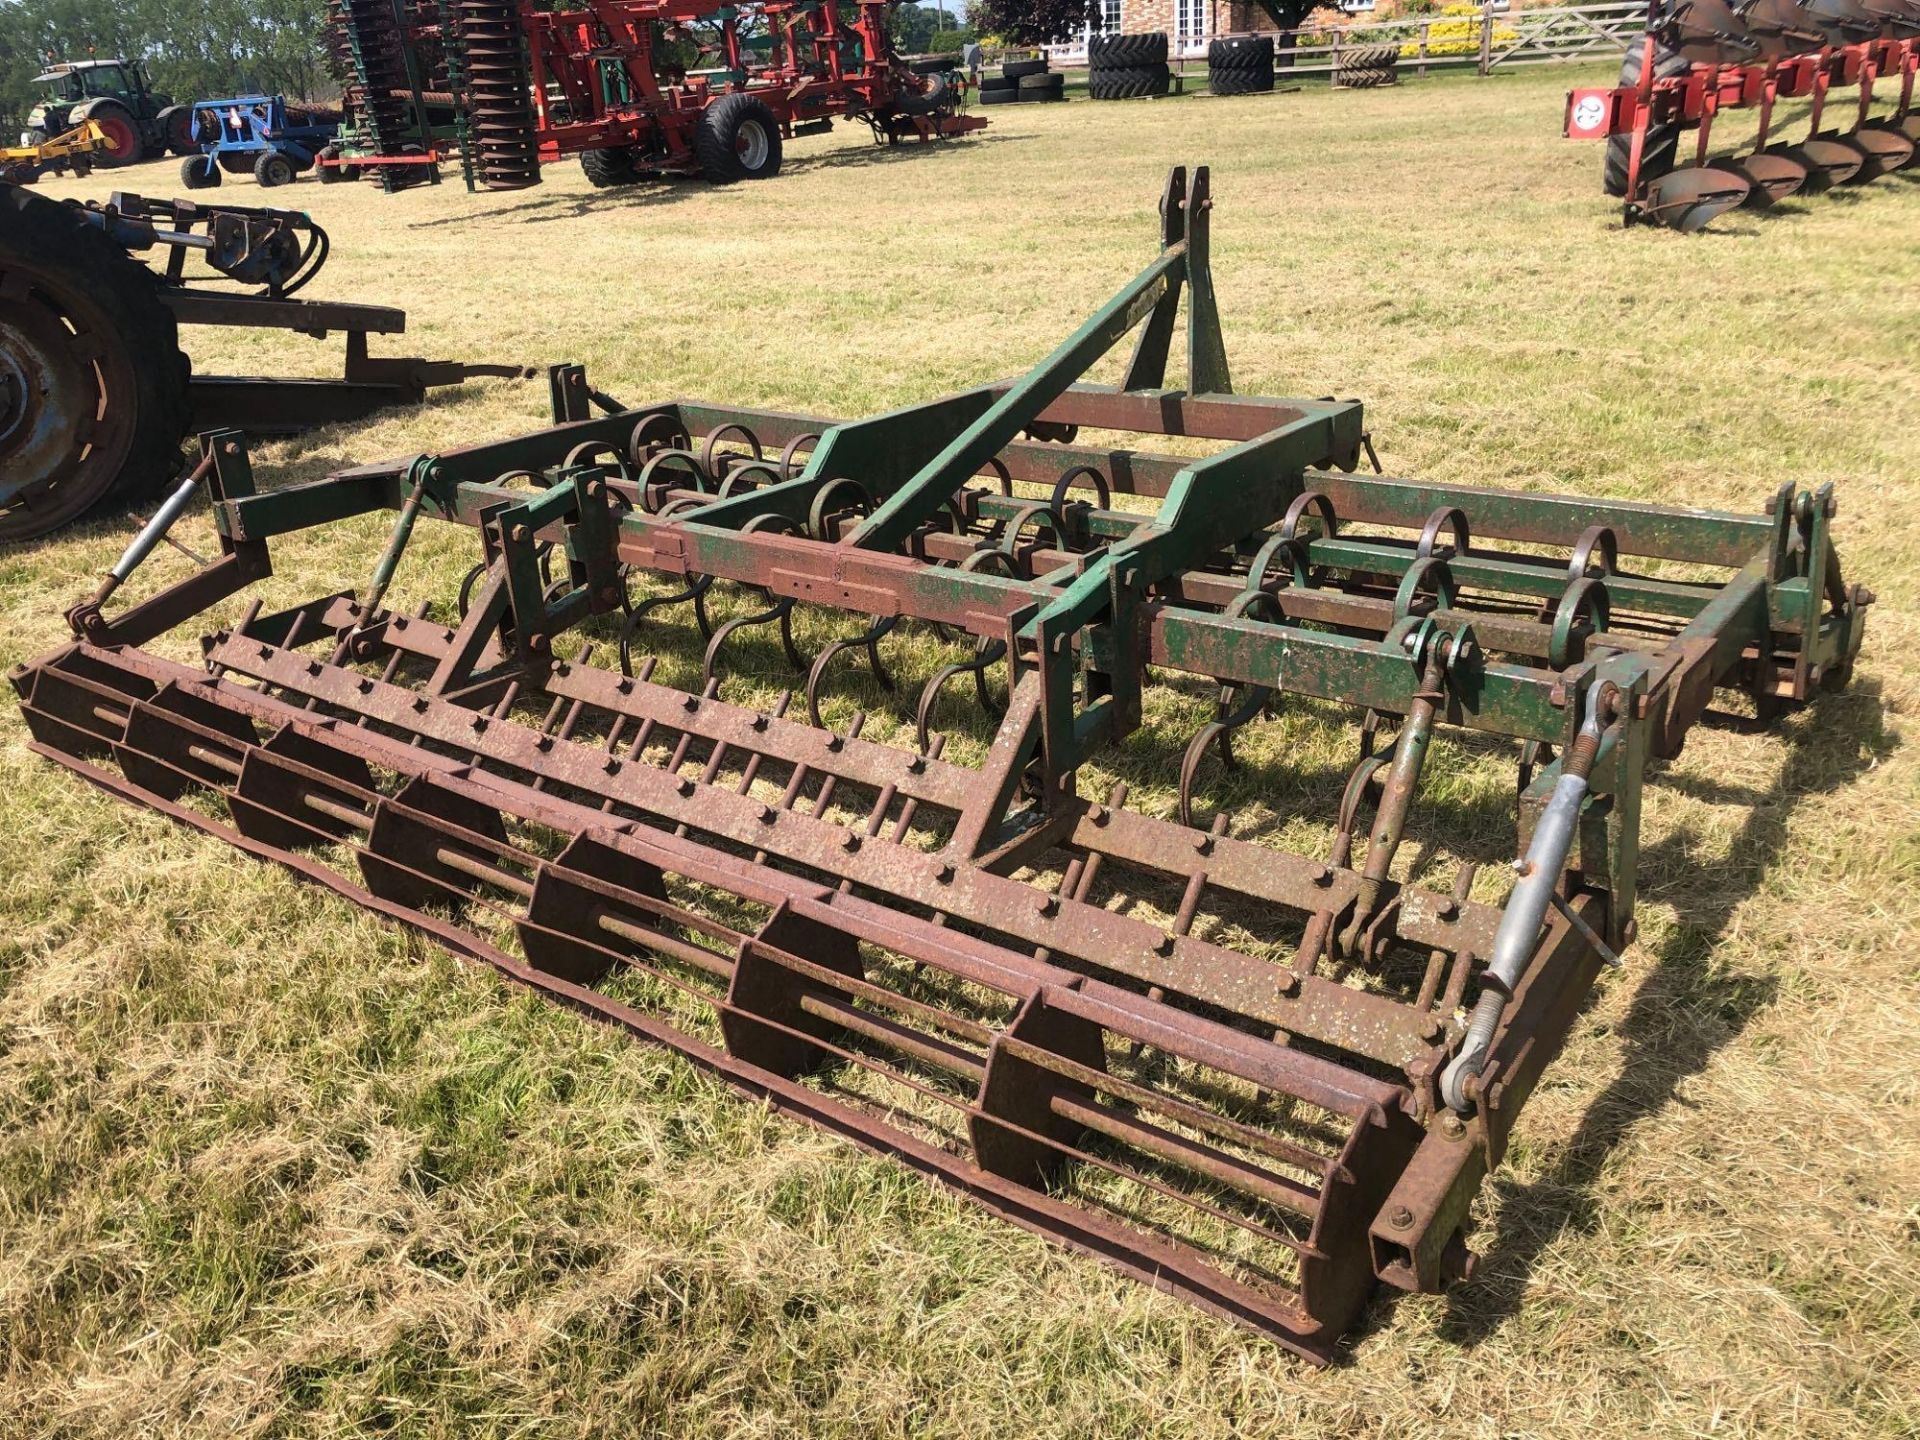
[1259, 1080]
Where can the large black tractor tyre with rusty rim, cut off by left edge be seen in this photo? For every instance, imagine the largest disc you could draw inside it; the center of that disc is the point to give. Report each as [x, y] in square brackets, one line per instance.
[93, 383]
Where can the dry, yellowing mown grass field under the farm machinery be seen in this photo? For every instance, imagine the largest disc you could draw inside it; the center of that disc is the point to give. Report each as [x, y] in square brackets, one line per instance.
[274, 1168]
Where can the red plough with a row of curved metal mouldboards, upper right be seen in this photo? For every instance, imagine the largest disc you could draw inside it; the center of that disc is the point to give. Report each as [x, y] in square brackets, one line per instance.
[1704, 57]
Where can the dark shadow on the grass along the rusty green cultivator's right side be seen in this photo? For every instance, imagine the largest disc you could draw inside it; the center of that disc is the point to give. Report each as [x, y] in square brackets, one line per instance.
[1685, 1009]
